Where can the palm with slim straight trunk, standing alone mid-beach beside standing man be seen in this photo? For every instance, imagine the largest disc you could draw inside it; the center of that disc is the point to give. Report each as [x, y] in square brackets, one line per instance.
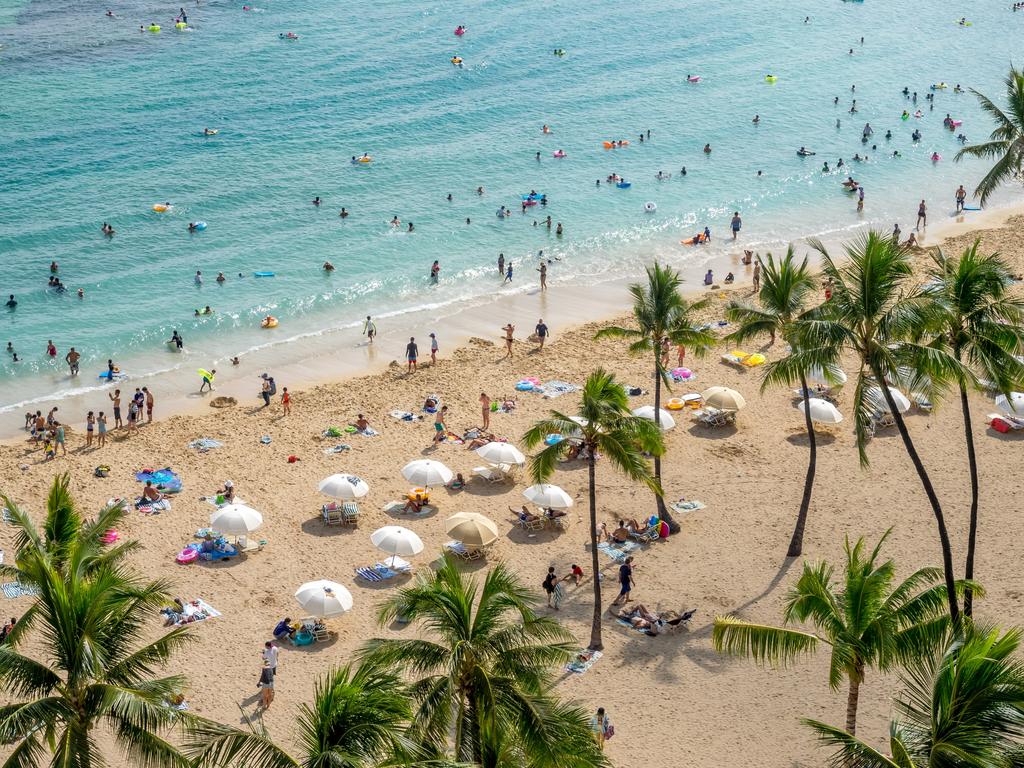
[605, 425]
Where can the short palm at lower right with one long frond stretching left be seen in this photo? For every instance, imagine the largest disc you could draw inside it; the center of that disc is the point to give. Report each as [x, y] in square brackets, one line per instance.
[868, 621]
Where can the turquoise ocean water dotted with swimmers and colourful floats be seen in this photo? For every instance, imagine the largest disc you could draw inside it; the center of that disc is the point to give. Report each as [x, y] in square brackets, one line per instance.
[99, 121]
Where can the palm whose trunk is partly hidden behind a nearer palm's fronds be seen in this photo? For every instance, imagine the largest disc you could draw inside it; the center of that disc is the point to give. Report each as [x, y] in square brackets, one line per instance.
[663, 318]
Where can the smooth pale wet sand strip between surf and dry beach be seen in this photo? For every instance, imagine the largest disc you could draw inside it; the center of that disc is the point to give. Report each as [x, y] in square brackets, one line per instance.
[340, 356]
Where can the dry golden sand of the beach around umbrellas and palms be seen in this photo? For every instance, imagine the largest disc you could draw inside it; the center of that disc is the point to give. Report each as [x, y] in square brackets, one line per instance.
[673, 699]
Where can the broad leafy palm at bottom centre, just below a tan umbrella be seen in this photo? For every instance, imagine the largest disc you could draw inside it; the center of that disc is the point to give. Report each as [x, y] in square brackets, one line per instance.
[484, 672]
